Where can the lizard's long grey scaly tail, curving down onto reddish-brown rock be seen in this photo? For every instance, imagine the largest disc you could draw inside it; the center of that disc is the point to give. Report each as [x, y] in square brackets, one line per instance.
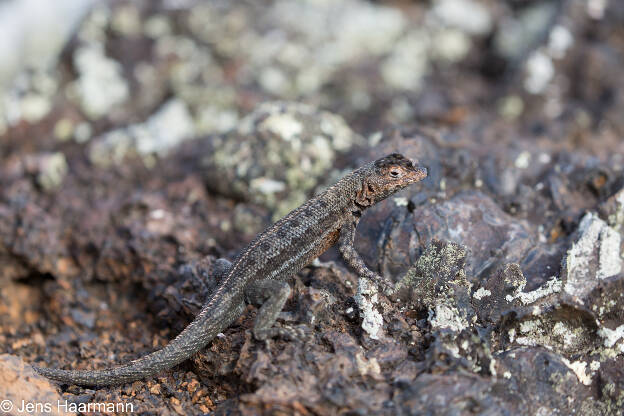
[193, 338]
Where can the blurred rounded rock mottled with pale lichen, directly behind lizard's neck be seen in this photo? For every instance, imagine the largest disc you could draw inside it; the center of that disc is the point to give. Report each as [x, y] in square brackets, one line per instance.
[278, 154]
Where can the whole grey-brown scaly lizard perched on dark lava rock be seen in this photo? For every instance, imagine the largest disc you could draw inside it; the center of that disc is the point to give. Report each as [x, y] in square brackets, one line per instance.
[257, 274]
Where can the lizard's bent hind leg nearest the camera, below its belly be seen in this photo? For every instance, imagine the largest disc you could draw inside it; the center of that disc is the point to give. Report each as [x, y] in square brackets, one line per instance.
[271, 295]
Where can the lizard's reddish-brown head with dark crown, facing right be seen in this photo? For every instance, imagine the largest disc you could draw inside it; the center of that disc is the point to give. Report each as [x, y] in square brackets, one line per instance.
[387, 176]
